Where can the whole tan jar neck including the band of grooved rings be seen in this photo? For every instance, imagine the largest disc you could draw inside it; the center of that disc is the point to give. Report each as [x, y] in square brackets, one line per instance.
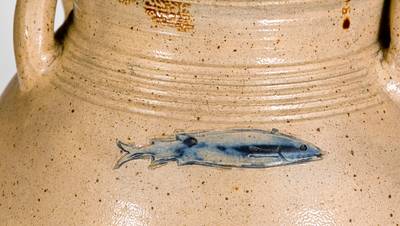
[219, 61]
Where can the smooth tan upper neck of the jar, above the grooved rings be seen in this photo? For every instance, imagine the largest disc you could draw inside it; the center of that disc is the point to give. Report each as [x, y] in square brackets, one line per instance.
[228, 33]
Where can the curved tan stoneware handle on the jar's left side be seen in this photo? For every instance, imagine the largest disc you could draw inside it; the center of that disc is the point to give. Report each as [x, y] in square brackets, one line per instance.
[35, 45]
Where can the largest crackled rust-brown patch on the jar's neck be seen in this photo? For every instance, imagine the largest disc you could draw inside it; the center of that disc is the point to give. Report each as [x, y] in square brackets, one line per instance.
[170, 13]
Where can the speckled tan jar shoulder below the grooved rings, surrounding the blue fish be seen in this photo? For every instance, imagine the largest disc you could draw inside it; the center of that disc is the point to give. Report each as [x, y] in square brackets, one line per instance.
[58, 154]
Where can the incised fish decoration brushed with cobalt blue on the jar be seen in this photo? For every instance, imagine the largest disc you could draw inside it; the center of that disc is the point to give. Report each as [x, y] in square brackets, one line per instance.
[242, 148]
